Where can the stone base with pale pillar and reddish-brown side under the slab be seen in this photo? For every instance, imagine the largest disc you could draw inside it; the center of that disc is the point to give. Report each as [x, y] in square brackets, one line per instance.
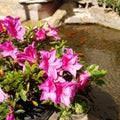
[42, 10]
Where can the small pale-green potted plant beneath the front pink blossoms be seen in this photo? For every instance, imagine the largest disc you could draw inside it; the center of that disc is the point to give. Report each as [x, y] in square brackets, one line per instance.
[77, 110]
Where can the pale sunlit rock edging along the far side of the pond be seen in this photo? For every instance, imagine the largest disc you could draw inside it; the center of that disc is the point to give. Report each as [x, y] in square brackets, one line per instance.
[69, 13]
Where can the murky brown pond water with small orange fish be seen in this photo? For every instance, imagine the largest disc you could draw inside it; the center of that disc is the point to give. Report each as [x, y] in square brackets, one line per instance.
[99, 45]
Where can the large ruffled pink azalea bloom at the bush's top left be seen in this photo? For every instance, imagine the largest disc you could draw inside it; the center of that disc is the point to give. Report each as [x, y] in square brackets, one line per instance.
[13, 26]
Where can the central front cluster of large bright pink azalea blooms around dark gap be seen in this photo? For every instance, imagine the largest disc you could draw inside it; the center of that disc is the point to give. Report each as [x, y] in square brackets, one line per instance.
[56, 87]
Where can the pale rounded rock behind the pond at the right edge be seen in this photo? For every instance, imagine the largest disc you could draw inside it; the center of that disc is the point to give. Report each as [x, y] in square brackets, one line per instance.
[109, 19]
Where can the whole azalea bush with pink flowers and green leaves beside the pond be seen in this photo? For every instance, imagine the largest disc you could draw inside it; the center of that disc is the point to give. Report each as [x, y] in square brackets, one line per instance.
[36, 61]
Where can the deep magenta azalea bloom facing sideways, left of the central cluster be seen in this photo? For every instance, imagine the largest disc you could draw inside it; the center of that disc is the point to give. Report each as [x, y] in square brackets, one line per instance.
[30, 54]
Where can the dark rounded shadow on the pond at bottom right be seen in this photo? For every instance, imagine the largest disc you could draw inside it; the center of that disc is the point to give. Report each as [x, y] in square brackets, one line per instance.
[103, 106]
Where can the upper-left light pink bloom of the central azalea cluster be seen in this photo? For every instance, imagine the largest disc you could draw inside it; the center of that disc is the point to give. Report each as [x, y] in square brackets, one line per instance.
[50, 64]
